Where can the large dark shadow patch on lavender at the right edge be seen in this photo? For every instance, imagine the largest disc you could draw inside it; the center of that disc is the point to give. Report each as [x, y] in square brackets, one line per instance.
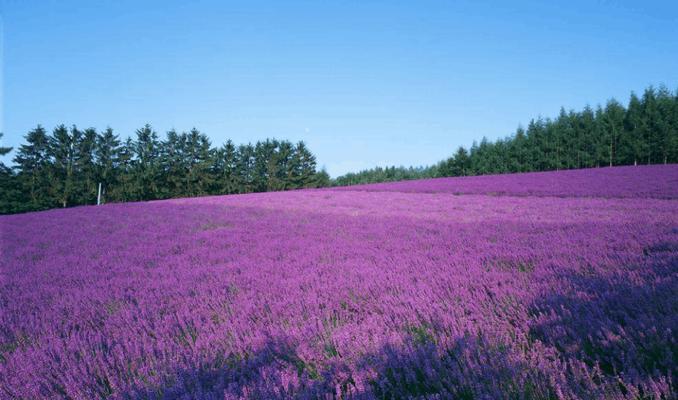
[620, 326]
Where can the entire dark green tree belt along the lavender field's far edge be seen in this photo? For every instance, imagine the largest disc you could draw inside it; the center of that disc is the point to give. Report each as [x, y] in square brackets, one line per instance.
[64, 168]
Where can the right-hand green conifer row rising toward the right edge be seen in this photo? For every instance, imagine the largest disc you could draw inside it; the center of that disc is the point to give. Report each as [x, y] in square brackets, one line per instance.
[645, 131]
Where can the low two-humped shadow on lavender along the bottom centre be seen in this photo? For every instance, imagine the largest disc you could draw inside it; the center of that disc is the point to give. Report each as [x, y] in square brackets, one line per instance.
[472, 368]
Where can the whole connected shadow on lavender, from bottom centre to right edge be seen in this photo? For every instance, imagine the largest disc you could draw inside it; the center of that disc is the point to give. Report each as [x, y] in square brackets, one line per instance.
[600, 335]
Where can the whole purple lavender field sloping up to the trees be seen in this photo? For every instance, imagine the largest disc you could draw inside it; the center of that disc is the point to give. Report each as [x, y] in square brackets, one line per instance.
[559, 285]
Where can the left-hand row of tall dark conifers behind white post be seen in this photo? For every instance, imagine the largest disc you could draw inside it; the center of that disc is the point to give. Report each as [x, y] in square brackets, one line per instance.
[65, 168]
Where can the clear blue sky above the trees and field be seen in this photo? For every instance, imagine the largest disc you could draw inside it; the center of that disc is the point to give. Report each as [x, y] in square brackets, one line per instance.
[364, 83]
